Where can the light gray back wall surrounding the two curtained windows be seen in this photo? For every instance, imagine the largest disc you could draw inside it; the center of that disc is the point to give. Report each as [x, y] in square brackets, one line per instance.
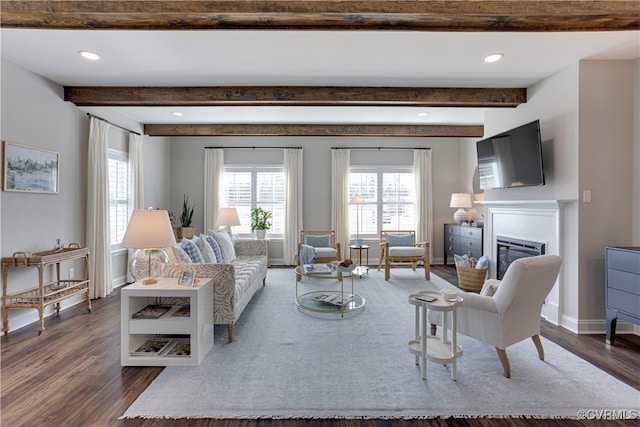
[187, 167]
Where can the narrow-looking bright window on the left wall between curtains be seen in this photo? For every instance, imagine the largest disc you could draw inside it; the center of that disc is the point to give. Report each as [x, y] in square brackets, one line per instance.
[118, 194]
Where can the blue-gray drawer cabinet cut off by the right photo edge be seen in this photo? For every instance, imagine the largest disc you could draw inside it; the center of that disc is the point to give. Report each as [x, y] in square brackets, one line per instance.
[623, 287]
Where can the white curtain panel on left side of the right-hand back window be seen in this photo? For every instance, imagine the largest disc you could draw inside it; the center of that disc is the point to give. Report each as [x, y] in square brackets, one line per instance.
[340, 159]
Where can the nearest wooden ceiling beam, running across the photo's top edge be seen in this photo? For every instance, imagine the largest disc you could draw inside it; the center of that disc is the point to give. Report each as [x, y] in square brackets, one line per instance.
[318, 15]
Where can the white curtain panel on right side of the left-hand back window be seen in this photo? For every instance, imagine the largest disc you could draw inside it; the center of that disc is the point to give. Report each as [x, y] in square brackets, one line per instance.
[293, 202]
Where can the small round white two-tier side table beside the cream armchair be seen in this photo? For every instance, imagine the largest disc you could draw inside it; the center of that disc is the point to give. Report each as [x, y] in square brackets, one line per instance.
[430, 347]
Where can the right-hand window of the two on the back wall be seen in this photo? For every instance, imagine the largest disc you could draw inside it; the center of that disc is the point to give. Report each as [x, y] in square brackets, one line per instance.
[390, 195]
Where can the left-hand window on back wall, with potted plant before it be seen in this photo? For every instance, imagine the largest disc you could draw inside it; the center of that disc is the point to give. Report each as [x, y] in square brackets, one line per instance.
[247, 187]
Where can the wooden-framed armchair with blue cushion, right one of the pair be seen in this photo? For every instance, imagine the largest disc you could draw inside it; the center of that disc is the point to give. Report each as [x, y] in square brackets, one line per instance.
[400, 246]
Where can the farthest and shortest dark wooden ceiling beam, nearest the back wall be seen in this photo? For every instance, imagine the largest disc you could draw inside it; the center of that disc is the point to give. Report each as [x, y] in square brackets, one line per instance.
[313, 130]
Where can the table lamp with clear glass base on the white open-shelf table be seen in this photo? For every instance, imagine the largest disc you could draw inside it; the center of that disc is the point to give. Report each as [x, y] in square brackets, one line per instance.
[149, 231]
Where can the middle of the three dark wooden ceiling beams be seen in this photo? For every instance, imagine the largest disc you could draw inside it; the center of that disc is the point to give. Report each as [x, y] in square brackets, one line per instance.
[101, 96]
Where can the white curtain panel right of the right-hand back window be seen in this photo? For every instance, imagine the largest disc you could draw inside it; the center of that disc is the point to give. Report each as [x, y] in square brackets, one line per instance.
[424, 195]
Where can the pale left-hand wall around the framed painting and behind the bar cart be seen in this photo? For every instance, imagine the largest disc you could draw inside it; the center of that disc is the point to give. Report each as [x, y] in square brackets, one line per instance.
[33, 112]
